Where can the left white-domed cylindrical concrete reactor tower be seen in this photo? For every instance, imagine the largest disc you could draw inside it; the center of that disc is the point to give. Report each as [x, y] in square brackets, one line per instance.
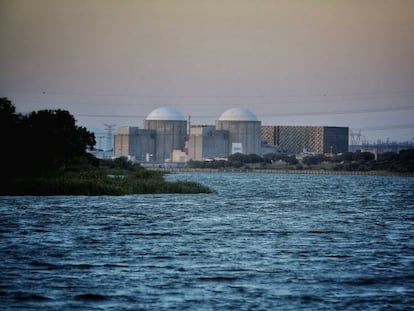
[171, 129]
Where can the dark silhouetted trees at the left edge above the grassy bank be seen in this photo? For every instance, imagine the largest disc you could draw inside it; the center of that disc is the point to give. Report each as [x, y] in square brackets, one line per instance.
[41, 142]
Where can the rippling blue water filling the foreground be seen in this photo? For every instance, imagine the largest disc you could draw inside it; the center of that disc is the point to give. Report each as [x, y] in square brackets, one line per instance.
[262, 242]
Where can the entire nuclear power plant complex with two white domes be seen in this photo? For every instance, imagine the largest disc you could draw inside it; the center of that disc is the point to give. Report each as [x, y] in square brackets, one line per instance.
[167, 137]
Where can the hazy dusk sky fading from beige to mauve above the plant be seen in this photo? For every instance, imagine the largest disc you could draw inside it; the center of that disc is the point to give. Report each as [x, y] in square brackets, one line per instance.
[291, 62]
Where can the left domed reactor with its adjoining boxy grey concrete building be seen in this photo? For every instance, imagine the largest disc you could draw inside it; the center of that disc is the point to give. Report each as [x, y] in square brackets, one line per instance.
[165, 131]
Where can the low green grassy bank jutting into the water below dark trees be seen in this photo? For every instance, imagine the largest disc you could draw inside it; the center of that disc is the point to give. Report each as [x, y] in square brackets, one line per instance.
[96, 183]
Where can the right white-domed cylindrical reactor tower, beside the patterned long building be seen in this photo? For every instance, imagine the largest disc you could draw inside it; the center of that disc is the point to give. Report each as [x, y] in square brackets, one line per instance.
[244, 130]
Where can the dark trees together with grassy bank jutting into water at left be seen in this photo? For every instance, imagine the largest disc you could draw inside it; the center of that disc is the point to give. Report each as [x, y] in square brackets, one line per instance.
[46, 155]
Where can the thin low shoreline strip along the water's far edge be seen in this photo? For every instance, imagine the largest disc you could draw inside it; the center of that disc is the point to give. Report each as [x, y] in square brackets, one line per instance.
[282, 171]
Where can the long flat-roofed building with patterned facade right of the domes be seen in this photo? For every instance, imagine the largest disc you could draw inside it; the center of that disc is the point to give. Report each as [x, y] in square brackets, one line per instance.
[315, 139]
